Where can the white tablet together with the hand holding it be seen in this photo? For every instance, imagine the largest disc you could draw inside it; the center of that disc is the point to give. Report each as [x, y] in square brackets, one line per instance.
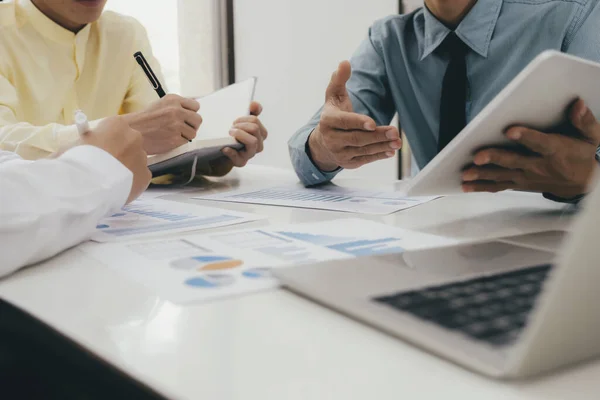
[524, 139]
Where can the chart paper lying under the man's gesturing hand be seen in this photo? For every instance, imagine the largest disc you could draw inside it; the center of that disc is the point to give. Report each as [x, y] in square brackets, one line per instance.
[326, 197]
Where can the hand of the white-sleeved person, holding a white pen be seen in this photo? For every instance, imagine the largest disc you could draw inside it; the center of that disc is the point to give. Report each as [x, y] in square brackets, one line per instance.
[117, 138]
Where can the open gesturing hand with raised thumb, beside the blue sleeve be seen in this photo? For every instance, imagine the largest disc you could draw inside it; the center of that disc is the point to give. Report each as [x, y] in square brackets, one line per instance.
[346, 139]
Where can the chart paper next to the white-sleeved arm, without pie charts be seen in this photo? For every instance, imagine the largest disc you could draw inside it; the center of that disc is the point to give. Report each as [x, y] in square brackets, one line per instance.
[147, 217]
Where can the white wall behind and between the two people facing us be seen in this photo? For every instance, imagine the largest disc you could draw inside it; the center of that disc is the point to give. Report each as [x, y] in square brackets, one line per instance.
[293, 46]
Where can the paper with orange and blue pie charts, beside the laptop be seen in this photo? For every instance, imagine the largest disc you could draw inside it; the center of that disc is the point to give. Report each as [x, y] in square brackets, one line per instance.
[213, 266]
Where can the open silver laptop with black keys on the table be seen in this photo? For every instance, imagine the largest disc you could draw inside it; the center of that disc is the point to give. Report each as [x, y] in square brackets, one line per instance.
[496, 308]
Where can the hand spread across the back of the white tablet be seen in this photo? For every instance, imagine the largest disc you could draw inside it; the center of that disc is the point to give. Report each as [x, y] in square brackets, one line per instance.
[561, 165]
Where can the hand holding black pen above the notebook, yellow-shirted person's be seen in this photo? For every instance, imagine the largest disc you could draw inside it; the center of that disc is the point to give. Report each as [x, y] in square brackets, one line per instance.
[168, 123]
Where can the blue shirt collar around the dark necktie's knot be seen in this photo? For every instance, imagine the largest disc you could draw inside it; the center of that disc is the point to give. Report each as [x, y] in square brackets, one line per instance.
[475, 30]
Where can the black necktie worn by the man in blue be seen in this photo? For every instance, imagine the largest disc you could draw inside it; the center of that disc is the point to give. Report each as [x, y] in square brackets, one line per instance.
[453, 113]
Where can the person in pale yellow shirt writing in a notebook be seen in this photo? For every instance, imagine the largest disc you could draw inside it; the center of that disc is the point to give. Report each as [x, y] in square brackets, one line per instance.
[60, 56]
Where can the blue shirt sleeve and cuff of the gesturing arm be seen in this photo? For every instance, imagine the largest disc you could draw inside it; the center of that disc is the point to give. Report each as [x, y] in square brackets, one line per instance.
[369, 92]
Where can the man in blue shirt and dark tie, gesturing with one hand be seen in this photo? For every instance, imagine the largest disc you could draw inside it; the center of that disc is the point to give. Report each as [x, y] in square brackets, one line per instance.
[438, 67]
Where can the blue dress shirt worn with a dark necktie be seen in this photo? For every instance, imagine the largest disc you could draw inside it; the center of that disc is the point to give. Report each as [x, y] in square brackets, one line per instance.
[397, 69]
